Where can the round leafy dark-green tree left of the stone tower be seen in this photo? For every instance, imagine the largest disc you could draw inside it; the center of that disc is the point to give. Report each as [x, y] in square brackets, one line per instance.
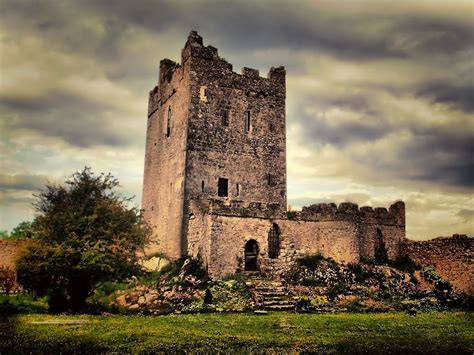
[85, 234]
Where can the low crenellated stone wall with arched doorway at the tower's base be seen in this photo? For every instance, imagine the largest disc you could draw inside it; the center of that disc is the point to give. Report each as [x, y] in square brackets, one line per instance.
[219, 232]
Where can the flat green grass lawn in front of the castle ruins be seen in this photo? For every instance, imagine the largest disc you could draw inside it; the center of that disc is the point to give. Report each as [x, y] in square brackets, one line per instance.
[330, 333]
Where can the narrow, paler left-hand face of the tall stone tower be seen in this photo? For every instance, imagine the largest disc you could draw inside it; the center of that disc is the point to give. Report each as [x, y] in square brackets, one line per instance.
[165, 157]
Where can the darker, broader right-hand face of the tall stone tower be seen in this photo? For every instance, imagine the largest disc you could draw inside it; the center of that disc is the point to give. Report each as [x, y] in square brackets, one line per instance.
[219, 145]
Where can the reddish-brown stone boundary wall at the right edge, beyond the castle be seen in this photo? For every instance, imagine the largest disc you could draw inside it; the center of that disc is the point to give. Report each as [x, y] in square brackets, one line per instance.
[452, 258]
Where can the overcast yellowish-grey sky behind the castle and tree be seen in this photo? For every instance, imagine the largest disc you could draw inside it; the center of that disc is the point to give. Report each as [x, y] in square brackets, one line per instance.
[380, 100]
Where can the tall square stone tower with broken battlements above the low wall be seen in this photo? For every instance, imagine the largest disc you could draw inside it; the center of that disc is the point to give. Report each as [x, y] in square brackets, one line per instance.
[211, 134]
